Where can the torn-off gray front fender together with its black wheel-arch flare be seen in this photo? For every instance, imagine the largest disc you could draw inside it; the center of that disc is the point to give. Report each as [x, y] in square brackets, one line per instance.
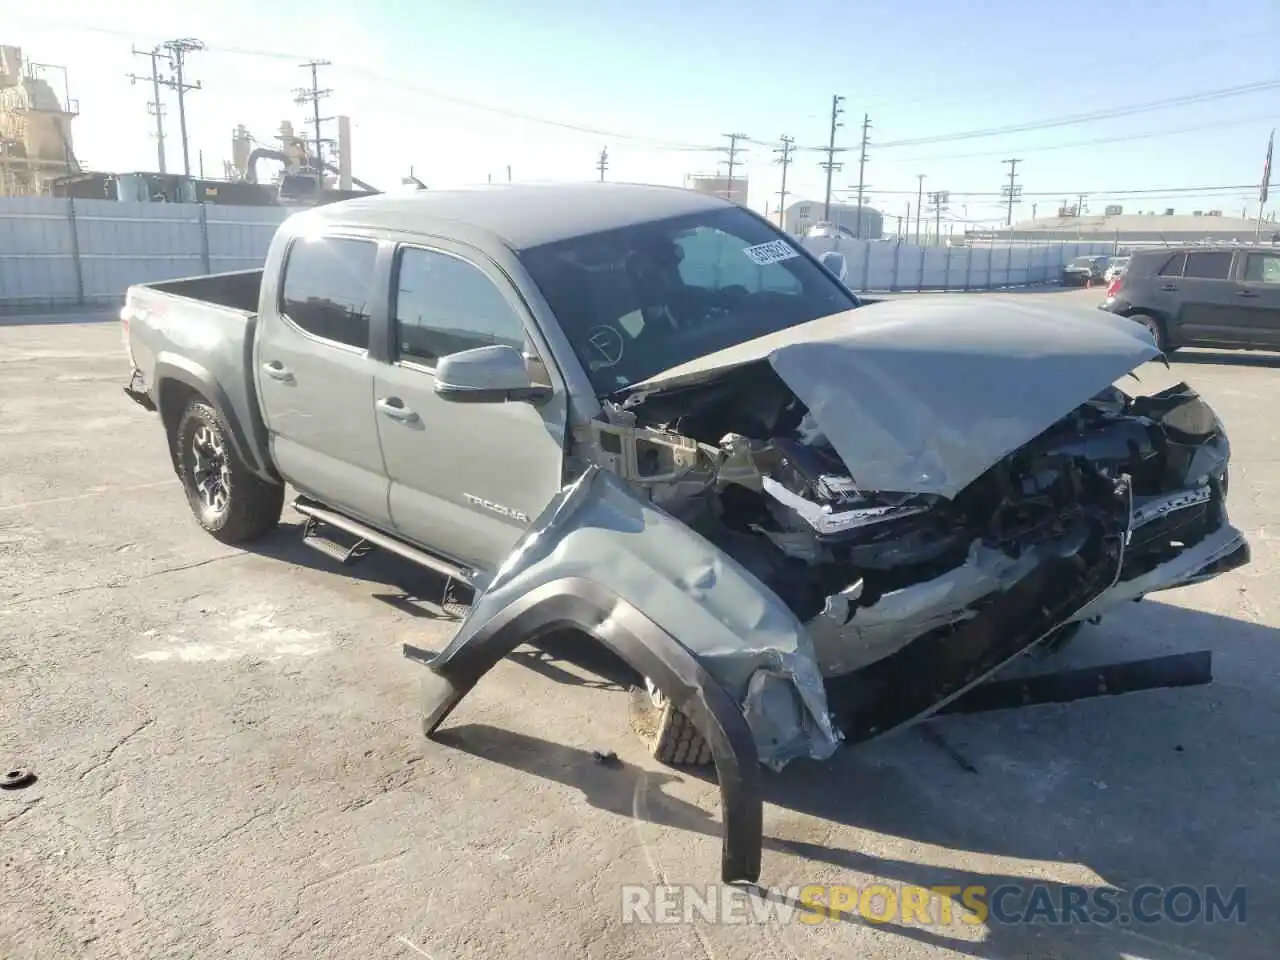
[717, 642]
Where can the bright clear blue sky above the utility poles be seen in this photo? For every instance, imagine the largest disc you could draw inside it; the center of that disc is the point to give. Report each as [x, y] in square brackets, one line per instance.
[665, 75]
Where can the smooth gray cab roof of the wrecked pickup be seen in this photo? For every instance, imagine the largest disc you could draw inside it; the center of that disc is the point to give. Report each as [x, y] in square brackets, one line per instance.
[520, 216]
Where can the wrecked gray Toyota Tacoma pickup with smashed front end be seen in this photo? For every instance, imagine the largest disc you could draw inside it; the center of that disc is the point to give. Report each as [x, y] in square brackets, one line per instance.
[646, 417]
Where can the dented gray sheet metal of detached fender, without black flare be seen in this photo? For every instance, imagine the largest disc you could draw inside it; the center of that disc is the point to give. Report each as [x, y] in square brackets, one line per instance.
[598, 531]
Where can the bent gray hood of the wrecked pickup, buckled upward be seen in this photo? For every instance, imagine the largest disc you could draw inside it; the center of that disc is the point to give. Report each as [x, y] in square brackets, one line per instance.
[925, 395]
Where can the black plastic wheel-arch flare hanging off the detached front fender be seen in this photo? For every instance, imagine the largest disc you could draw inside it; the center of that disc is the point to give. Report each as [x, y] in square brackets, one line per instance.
[648, 650]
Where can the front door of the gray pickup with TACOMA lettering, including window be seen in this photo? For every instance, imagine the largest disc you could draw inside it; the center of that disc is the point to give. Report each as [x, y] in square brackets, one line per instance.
[467, 479]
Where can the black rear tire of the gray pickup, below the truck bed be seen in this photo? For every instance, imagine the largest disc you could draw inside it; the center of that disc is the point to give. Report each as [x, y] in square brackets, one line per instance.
[253, 506]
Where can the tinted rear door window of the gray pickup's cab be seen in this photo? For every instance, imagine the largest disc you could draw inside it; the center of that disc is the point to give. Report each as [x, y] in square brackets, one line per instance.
[330, 289]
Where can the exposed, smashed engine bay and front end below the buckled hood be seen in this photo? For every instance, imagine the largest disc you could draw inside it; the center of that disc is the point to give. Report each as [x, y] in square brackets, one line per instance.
[743, 463]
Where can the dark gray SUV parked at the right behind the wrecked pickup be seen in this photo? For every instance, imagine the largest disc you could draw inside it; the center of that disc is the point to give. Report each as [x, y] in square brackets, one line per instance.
[1203, 296]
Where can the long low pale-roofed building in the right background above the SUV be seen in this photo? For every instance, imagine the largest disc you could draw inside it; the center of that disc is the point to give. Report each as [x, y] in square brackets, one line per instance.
[1118, 227]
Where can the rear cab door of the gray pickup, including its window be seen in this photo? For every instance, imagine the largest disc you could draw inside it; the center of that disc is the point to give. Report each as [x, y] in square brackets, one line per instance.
[316, 377]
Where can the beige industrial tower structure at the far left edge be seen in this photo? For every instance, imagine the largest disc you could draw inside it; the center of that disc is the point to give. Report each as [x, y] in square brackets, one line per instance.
[35, 127]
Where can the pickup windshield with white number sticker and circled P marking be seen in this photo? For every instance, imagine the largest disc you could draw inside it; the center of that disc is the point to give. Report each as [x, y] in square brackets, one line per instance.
[639, 300]
